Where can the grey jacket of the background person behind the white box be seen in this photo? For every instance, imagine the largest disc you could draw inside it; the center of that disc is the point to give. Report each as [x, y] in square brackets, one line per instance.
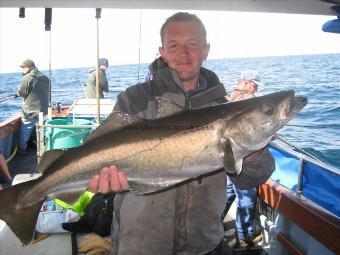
[90, 86]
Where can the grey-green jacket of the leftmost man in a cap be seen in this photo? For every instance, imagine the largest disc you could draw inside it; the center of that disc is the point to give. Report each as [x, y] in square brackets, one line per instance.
[34, 89]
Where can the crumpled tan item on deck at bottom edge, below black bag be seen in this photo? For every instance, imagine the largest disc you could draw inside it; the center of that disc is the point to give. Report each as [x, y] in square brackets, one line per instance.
[93, 244]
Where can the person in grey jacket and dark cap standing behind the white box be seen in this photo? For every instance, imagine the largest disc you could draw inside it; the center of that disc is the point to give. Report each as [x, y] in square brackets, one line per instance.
[90, 86]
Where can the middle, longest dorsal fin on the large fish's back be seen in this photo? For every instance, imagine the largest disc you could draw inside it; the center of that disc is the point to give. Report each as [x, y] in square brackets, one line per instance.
[115, 121]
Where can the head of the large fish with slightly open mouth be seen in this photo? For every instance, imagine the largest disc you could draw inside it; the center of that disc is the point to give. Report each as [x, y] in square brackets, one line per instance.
[254, 127]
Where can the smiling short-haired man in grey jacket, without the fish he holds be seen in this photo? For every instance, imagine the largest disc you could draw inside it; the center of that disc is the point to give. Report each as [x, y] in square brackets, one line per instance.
[185, 219]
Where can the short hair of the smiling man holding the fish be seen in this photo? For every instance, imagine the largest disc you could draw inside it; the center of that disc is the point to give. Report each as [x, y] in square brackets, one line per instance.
[184, 17]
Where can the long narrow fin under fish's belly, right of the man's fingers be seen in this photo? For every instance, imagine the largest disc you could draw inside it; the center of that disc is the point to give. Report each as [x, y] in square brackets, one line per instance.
[142, 188]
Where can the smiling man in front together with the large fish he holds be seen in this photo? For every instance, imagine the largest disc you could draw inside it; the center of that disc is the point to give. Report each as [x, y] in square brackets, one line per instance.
[168, 143]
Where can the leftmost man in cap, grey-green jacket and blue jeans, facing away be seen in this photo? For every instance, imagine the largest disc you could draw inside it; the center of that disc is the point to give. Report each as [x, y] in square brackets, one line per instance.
[34, 90]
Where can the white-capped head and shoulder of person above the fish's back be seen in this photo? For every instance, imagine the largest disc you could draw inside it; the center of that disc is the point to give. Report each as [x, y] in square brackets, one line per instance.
[246, 86]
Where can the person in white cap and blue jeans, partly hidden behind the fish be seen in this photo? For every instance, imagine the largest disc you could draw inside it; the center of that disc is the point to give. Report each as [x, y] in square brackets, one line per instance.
[246, 87]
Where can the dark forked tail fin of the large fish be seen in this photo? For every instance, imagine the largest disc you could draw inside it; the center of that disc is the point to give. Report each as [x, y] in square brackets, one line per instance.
[21, 220]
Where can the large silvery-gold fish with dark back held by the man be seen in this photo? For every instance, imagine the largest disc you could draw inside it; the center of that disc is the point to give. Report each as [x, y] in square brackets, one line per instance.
[153, 154]
